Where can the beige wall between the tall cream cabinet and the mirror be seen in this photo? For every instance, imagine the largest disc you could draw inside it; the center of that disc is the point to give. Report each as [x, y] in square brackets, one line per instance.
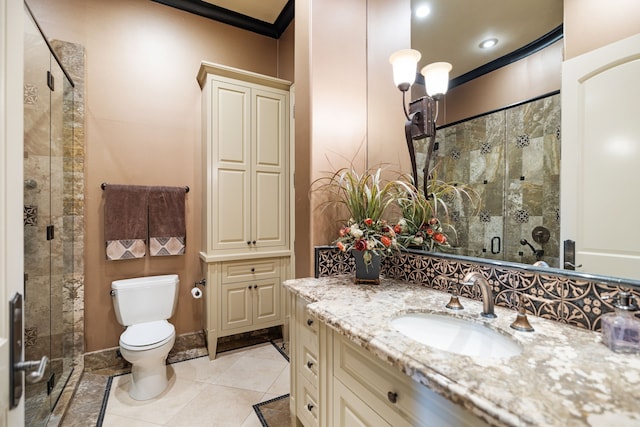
[343, 114]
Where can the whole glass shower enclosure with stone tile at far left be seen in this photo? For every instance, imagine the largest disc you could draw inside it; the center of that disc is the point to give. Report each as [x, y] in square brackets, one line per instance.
[48, 224]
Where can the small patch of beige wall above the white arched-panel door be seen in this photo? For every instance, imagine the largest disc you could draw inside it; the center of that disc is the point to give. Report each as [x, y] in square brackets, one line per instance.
[590, 24]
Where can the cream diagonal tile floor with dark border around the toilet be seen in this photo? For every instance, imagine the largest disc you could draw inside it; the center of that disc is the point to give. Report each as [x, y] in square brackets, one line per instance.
[201, 392]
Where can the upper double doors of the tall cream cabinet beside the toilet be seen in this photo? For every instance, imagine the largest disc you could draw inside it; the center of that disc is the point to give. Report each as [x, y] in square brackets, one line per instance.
[247, 165]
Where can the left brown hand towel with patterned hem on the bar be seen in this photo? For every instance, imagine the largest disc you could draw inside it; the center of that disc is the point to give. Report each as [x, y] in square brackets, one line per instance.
[125, 221]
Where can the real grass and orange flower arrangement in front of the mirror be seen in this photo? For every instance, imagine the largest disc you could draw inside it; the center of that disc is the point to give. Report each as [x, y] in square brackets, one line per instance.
[366, 197]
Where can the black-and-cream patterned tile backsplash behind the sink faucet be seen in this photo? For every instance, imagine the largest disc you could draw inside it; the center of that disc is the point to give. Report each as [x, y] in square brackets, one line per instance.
[552, 296]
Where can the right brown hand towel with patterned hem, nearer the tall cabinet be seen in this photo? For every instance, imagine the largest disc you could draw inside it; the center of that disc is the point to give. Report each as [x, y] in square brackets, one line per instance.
[167, 230]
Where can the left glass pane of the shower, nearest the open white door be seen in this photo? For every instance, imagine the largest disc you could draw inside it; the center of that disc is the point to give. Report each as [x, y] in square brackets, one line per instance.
[37, 202]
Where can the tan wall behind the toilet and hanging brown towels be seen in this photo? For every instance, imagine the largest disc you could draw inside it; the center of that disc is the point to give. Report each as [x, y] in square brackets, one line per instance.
[143, 125]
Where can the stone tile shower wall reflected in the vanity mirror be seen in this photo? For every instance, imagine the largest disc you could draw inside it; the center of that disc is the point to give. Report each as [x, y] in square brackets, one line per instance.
[511, 159]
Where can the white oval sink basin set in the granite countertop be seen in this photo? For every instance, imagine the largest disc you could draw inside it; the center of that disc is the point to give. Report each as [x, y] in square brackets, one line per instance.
[456, 335]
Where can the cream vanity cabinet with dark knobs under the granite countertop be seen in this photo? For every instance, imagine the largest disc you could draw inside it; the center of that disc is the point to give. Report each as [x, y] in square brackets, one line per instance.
[335, 383]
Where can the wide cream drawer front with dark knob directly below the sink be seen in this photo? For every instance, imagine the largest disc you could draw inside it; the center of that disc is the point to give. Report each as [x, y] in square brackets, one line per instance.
[396, 397]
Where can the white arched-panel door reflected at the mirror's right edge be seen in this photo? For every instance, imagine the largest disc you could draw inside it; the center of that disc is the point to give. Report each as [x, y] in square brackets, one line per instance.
[600, 172]
